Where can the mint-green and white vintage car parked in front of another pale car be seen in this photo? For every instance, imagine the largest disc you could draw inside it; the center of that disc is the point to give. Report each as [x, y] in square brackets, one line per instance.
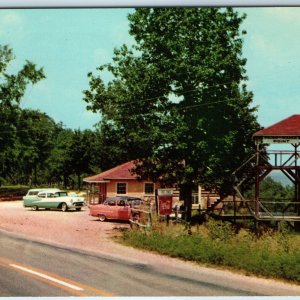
[56, 199]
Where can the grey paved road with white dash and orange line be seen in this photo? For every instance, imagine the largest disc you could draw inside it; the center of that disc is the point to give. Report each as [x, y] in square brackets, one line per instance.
[30, 268]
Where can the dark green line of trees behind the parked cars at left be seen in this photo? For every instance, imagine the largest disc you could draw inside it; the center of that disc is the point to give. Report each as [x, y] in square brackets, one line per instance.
[34, 149]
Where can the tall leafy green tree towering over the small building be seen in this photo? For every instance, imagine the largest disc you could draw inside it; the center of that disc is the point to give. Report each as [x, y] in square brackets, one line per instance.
[179, 101]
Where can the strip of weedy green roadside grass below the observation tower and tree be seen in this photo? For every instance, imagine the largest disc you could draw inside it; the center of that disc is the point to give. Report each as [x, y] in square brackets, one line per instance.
[273, 254]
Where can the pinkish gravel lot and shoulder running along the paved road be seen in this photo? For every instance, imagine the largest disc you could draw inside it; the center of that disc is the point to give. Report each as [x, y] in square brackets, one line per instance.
[79, 230]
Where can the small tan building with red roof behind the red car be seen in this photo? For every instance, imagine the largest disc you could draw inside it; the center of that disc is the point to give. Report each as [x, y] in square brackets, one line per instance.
[119, 181]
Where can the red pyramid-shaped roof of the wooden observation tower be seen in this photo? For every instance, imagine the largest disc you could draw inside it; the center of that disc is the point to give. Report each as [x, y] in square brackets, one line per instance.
[287, 127]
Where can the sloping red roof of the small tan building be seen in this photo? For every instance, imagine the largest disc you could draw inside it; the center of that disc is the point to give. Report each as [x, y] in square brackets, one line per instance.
[119, 172]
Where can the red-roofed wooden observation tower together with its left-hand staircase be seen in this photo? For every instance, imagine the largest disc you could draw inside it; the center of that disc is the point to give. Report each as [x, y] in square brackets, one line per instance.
[284, 136]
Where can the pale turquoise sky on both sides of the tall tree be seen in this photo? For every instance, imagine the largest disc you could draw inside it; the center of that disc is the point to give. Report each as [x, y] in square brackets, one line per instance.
[69, 43]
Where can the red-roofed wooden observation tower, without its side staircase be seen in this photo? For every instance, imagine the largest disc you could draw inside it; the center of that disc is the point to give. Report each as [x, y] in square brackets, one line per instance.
[285, 134]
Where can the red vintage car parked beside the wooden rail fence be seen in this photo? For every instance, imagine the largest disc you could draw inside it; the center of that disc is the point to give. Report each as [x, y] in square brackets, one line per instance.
[117, 208]
